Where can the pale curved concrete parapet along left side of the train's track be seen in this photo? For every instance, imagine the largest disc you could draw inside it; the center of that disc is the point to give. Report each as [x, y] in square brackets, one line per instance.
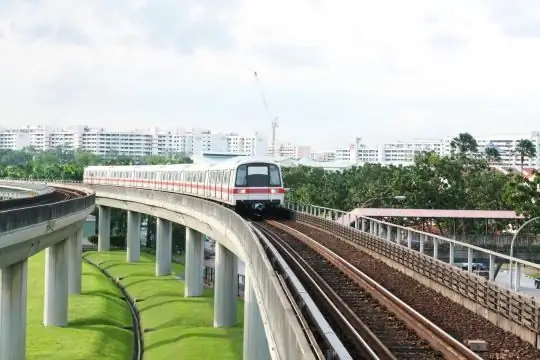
[285, 336]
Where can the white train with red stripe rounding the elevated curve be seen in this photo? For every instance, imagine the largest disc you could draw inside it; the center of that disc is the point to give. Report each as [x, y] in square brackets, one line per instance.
[251, 186]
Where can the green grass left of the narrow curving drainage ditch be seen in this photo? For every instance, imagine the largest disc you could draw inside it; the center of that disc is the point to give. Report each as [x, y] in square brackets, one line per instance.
[95, 320]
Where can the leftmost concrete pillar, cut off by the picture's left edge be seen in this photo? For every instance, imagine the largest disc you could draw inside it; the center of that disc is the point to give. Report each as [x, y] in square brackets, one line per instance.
[13, 292]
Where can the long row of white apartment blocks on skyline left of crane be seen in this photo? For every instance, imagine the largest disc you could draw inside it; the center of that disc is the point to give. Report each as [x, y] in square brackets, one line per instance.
[135, 143]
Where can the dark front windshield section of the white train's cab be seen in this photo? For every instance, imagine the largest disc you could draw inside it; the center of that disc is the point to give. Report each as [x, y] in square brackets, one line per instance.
[258, 175]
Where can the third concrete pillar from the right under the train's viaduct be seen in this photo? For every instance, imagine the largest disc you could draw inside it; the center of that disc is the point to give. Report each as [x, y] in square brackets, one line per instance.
[193, 284]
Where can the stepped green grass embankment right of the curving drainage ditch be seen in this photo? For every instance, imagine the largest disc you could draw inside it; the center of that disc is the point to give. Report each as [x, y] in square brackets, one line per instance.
[182, 328]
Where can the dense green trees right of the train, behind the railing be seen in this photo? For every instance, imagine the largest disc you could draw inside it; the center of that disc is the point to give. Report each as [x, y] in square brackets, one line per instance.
[461, 181]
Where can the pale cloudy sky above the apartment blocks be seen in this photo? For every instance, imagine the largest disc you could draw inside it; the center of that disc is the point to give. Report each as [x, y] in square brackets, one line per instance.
[331, 70]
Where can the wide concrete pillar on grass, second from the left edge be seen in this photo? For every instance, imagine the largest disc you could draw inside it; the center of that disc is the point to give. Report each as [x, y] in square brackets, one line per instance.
[55, 310]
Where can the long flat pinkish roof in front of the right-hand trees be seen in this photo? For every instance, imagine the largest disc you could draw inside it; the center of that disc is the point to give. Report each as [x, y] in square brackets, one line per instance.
[436, 213]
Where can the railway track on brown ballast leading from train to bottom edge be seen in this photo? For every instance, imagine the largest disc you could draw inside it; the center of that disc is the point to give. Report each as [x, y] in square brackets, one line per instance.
[371, 322]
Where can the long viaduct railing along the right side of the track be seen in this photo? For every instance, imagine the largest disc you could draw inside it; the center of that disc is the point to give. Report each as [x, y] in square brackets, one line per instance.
[514, 312]
